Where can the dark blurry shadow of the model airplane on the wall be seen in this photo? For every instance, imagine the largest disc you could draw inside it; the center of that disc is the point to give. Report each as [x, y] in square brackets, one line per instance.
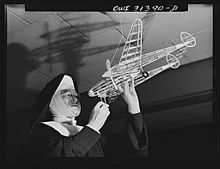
[67, 46]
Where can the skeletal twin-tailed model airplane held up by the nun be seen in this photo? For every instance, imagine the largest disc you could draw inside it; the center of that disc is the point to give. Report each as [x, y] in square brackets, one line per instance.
[132, 62]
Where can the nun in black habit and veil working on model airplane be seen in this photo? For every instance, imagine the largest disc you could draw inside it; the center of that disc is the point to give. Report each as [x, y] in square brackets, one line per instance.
[56, 133]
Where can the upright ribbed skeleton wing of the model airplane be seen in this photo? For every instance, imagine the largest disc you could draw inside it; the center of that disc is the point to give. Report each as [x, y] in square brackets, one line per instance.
[132, 51]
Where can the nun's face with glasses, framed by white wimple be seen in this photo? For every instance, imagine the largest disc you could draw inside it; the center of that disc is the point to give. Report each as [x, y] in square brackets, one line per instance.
[71, 99]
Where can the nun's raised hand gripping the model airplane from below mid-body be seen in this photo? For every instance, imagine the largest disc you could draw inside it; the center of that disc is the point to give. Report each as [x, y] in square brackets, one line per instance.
[129, 94]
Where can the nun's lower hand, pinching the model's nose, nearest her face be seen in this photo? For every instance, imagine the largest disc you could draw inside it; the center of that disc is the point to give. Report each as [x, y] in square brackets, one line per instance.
[99, 115]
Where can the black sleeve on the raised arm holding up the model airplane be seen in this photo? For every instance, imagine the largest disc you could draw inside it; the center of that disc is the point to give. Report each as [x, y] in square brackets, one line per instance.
[137, 133]
